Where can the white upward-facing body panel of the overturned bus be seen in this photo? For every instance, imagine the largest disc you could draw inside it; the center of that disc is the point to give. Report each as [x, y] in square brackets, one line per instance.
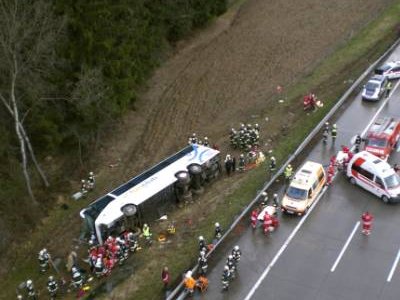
[149, 187]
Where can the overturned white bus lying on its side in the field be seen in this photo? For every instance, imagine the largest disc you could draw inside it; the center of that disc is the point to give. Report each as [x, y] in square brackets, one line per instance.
[151, 194]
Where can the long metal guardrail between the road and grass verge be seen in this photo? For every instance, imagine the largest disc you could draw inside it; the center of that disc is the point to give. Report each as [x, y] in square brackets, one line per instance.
[300, 148]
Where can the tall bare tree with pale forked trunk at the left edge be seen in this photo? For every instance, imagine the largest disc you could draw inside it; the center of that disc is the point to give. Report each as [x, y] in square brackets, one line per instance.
[28, 34]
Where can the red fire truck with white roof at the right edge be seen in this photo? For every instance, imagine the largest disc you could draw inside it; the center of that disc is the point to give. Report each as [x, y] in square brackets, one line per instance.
[382, 137]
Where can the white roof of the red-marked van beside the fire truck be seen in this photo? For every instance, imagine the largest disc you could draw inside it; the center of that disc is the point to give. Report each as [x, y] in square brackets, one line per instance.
[372, 164]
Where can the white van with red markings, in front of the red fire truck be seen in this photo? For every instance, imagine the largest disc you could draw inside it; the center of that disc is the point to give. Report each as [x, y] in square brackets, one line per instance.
[375, 175]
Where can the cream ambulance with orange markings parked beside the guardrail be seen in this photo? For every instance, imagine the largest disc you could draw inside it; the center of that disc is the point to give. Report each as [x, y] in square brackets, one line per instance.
[304, 188]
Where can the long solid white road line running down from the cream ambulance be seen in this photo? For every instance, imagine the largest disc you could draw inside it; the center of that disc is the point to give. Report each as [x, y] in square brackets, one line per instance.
[284, 246]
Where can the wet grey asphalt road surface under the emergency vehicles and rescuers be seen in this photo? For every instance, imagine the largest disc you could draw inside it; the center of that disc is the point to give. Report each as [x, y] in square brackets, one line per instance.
[305, 268]
